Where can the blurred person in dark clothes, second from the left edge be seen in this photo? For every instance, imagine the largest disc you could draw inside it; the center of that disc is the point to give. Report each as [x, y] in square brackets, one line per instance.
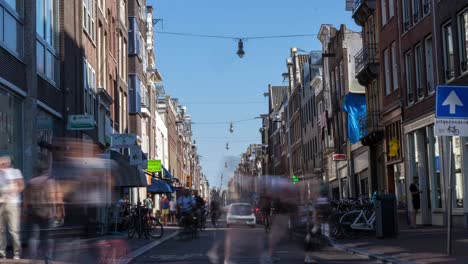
[40, 202]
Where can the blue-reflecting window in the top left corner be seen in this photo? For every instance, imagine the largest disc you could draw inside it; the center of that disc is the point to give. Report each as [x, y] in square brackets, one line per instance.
[11, 26]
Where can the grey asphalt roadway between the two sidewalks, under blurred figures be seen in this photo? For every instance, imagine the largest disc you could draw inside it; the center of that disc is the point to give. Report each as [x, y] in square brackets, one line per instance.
[245, 245]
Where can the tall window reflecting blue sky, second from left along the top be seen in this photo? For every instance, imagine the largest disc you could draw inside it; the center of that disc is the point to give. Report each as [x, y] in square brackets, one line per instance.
[47, 32]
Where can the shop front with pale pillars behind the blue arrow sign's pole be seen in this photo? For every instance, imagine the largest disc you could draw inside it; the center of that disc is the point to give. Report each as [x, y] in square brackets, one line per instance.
[426, 156]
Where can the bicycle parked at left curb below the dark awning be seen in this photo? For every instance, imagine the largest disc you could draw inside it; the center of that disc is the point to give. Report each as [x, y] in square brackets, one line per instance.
[142, 223]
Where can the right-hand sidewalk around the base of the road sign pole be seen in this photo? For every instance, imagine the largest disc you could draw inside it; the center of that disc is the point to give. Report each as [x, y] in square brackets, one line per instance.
[420, 245]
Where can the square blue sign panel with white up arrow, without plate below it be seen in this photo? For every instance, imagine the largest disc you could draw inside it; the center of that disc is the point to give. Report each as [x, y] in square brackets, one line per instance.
[452, 102]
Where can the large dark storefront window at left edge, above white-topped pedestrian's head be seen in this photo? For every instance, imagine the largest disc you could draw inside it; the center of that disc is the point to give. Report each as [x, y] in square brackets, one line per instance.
[11, 128]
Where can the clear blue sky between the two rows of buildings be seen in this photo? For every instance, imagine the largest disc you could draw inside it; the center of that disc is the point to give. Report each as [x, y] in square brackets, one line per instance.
[215, 85]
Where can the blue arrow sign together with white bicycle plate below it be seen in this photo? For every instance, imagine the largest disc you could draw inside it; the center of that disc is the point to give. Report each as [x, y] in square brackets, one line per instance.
[451, 111]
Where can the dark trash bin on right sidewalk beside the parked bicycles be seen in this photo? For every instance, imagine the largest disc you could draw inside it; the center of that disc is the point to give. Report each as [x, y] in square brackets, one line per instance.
[386, 221]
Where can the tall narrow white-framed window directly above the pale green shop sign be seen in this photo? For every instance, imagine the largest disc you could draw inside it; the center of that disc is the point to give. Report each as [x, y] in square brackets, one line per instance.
[89, 88]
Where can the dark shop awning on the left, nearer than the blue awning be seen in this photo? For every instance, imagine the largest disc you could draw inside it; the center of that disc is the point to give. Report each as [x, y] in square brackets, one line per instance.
[127, 175]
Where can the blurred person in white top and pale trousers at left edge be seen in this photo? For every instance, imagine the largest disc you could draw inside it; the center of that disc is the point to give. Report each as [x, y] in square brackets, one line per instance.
[12, 185]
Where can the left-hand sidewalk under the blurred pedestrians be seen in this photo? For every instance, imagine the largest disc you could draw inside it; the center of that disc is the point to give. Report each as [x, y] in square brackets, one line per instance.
[91, 250]
